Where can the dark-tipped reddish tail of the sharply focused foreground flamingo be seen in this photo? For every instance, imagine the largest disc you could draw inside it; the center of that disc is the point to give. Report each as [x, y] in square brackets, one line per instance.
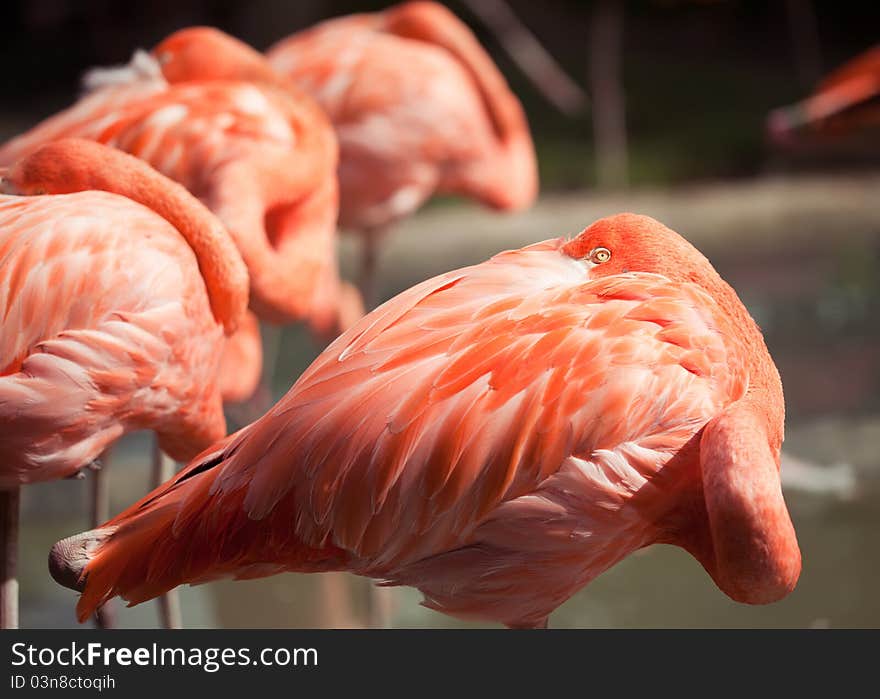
[185, 531]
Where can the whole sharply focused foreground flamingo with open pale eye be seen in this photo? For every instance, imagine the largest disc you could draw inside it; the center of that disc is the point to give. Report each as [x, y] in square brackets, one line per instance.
[496, 437]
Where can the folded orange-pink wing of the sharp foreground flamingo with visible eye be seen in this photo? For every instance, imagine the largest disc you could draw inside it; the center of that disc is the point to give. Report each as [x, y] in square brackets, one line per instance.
[470, 390]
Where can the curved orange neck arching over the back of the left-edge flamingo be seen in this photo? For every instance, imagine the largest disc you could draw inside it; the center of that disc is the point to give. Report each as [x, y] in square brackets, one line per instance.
[74, 165]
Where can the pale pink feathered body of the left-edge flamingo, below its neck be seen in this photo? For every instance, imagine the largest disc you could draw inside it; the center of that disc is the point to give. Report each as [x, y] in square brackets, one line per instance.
[102, 331]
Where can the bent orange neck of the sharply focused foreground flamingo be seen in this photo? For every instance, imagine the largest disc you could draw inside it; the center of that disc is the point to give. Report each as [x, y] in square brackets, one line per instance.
[750, 548]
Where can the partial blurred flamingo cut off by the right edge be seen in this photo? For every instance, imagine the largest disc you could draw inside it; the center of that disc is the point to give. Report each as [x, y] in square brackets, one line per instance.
[844, 101]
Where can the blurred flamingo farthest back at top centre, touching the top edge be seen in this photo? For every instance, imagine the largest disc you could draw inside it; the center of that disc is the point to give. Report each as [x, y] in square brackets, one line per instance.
[419, 107]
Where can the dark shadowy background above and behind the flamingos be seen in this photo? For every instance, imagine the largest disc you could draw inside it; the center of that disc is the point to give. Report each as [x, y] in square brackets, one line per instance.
[699, 76]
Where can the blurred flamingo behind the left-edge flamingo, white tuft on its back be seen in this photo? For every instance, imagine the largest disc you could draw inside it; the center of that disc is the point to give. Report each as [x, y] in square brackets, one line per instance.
[261, 156]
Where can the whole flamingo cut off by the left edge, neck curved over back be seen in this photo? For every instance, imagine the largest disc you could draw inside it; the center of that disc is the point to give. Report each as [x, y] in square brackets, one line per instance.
[116, 288]
